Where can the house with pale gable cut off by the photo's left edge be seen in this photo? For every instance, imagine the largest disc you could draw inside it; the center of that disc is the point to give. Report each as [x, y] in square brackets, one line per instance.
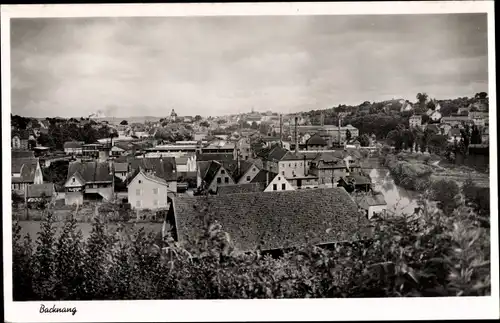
[24, 172]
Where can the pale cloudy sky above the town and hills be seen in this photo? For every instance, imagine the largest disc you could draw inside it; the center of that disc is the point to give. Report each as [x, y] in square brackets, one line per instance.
[221, 65]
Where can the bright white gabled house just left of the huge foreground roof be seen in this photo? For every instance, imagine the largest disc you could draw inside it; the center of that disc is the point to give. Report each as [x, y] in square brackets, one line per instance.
[148, 191]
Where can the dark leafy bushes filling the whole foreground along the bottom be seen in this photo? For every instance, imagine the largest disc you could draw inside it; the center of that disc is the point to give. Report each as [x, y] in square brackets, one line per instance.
[435, 254]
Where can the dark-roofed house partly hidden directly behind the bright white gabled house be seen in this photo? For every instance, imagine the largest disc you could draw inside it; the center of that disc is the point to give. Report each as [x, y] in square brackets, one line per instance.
[164, 168]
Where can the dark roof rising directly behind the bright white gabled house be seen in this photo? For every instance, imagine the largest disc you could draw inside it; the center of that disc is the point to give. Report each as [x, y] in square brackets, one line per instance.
[162, 167]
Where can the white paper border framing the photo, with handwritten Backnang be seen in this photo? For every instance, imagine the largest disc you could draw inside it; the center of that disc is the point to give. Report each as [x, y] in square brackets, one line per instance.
[250, 310]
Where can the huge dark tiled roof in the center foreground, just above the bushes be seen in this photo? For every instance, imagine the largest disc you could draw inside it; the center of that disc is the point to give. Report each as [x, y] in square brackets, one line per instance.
[273, 220]
